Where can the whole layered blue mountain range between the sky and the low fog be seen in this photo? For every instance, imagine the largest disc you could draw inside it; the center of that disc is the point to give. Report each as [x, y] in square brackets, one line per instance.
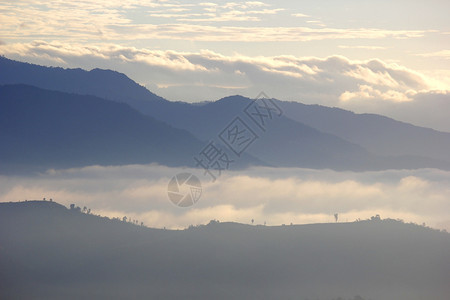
[58, 118]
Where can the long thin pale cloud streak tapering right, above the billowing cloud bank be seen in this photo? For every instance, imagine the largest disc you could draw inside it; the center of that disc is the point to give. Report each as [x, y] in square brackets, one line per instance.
[251, 34]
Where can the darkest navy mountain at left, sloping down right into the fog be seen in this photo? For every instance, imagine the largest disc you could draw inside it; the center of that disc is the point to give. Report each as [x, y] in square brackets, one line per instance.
[42, 129]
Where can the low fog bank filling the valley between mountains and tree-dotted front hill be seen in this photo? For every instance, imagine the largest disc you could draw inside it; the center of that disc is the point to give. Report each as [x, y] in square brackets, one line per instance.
[275, 196]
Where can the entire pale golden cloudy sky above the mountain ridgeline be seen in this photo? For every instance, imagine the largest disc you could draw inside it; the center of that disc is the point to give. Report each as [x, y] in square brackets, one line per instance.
[387, 57]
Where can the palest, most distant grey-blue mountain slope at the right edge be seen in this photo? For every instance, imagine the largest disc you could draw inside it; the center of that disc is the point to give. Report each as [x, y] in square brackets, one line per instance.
[376, 133]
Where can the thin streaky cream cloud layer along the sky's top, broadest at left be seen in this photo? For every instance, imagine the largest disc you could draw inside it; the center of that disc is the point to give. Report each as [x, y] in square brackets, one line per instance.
[114, 20]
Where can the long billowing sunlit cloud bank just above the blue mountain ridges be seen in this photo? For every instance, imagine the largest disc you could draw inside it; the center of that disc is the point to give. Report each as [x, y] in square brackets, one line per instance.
[337, 72]
